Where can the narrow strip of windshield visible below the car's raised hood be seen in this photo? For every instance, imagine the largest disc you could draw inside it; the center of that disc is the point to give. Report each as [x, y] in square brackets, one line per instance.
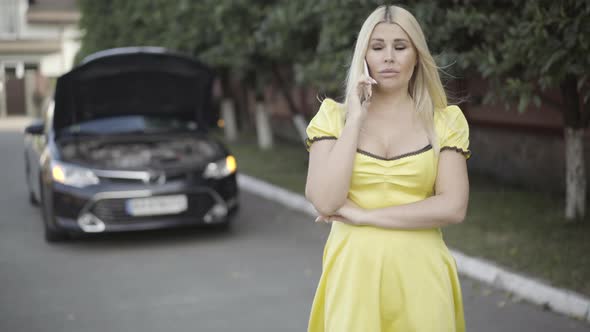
[130, 124]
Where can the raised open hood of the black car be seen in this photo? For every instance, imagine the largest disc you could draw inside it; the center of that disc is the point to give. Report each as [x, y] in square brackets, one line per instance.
[147, 81]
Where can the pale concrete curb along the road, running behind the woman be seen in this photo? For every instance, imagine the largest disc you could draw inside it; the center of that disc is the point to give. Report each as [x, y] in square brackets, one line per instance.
[557, 299]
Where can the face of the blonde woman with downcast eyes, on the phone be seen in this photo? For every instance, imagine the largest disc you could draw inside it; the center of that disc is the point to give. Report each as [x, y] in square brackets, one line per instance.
[391, 57]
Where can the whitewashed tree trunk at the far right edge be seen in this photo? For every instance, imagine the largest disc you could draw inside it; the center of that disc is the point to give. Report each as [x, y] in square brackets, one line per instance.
[575, 200]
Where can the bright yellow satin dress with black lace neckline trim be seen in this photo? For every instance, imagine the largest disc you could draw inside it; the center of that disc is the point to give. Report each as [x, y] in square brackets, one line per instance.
[376, 279]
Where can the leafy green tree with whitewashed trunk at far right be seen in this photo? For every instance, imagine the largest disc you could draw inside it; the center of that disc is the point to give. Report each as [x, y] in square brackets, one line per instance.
[526, 49]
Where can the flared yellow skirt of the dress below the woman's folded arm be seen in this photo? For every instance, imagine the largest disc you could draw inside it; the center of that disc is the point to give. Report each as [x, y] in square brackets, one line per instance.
[382, 280]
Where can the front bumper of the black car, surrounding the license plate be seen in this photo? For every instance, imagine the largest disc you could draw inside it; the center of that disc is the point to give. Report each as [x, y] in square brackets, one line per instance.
[102, 208]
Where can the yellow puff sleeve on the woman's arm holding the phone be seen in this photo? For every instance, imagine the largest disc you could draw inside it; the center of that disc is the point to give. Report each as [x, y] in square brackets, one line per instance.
[325, 124]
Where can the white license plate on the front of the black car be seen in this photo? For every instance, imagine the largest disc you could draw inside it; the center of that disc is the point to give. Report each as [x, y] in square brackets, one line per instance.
[158, 205]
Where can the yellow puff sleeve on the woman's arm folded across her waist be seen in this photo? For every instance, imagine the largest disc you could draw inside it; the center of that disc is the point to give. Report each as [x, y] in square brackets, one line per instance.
[455, 132]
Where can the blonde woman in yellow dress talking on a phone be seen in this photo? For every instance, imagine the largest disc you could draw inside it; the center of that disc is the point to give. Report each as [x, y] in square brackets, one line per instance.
[388, 169]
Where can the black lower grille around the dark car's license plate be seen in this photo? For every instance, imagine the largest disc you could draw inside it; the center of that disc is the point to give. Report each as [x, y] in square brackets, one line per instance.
[112, 211]
